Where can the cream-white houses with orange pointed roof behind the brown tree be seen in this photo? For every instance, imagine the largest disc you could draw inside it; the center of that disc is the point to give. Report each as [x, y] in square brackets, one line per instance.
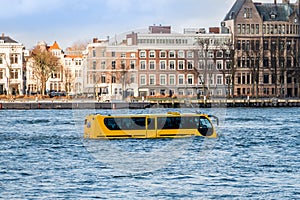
[67, 79]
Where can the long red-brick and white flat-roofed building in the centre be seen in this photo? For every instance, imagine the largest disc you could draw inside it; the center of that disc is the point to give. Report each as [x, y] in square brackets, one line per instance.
[160, 63]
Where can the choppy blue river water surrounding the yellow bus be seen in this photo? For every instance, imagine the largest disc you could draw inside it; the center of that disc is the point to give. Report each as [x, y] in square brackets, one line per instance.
[43, 155]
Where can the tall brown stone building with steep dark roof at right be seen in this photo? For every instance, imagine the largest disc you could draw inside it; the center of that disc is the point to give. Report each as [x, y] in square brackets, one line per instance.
[266, 42]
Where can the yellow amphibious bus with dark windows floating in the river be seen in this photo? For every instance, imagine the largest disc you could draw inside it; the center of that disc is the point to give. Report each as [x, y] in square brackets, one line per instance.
[169, 125]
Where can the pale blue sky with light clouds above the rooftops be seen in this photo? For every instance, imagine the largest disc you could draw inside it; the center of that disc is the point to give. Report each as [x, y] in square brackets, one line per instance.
[78, 21]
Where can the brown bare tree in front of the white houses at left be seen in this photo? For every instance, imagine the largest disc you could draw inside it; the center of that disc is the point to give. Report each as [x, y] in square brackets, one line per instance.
[44, 64]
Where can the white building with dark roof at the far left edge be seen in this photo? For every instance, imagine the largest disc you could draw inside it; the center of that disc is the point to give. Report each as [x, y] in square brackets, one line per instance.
[11, 66]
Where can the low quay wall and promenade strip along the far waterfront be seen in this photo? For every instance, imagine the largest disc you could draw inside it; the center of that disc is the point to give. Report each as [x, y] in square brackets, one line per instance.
[27, 104]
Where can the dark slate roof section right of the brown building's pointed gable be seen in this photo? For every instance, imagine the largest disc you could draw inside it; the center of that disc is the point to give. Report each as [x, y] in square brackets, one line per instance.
[275, 12]
